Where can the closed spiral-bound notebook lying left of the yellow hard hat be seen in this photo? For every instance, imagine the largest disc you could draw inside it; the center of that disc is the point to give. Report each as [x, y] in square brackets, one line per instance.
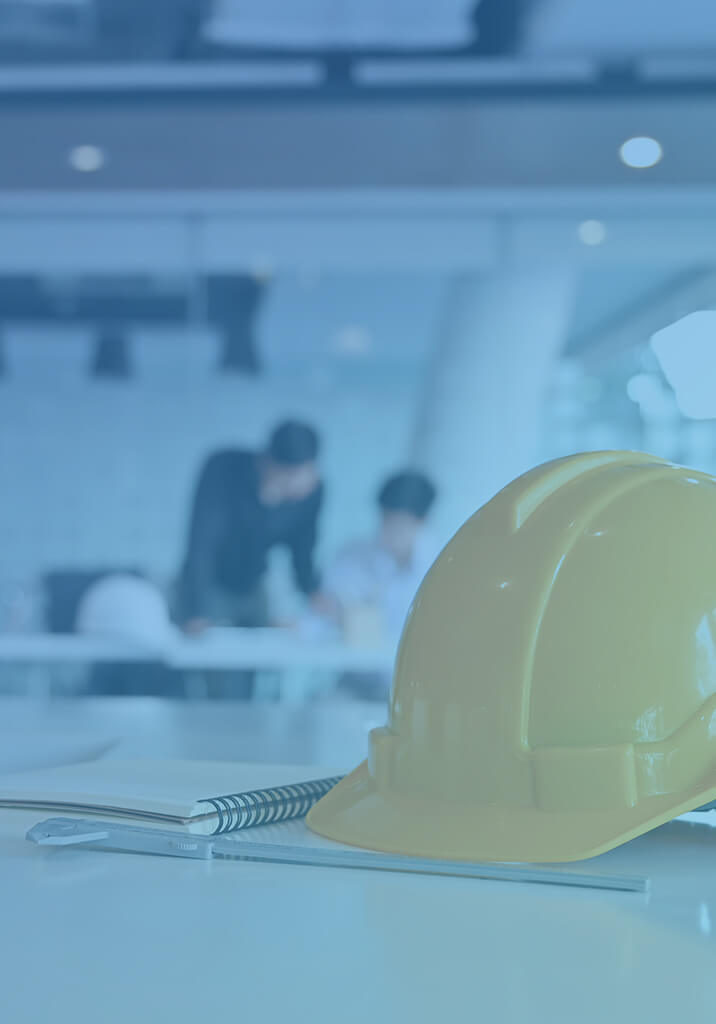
[204, 797]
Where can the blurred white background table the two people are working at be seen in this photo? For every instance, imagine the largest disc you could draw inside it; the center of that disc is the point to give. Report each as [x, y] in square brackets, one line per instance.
[216, 651]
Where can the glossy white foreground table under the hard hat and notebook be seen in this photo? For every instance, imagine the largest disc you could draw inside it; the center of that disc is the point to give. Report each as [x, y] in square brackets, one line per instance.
[91, 937]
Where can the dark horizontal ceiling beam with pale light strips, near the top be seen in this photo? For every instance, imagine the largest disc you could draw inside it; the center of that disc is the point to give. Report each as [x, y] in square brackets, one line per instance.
[258, 84]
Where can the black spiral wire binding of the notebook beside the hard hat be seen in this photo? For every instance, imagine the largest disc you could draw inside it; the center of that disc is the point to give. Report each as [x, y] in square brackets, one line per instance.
[264, 807]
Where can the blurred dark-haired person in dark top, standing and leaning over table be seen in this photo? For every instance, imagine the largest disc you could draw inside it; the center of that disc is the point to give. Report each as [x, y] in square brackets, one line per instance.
[246, 503]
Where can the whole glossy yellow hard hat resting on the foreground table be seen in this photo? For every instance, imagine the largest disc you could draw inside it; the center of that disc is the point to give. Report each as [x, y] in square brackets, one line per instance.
[555, 694]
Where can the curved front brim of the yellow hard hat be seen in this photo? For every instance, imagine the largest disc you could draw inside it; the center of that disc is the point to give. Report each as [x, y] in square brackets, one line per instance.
[357, 814]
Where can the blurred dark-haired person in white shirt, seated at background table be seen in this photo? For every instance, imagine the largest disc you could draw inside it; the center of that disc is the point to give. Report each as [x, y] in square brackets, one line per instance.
[369, 588]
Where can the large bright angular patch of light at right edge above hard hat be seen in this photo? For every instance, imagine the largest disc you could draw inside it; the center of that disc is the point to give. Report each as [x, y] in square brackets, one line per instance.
[687, 354]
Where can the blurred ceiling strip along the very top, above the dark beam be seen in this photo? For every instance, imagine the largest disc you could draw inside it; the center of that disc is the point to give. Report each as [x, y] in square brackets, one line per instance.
[33, 30]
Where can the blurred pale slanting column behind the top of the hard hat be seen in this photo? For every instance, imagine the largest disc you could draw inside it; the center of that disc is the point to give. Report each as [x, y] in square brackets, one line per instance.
[480, 423]
